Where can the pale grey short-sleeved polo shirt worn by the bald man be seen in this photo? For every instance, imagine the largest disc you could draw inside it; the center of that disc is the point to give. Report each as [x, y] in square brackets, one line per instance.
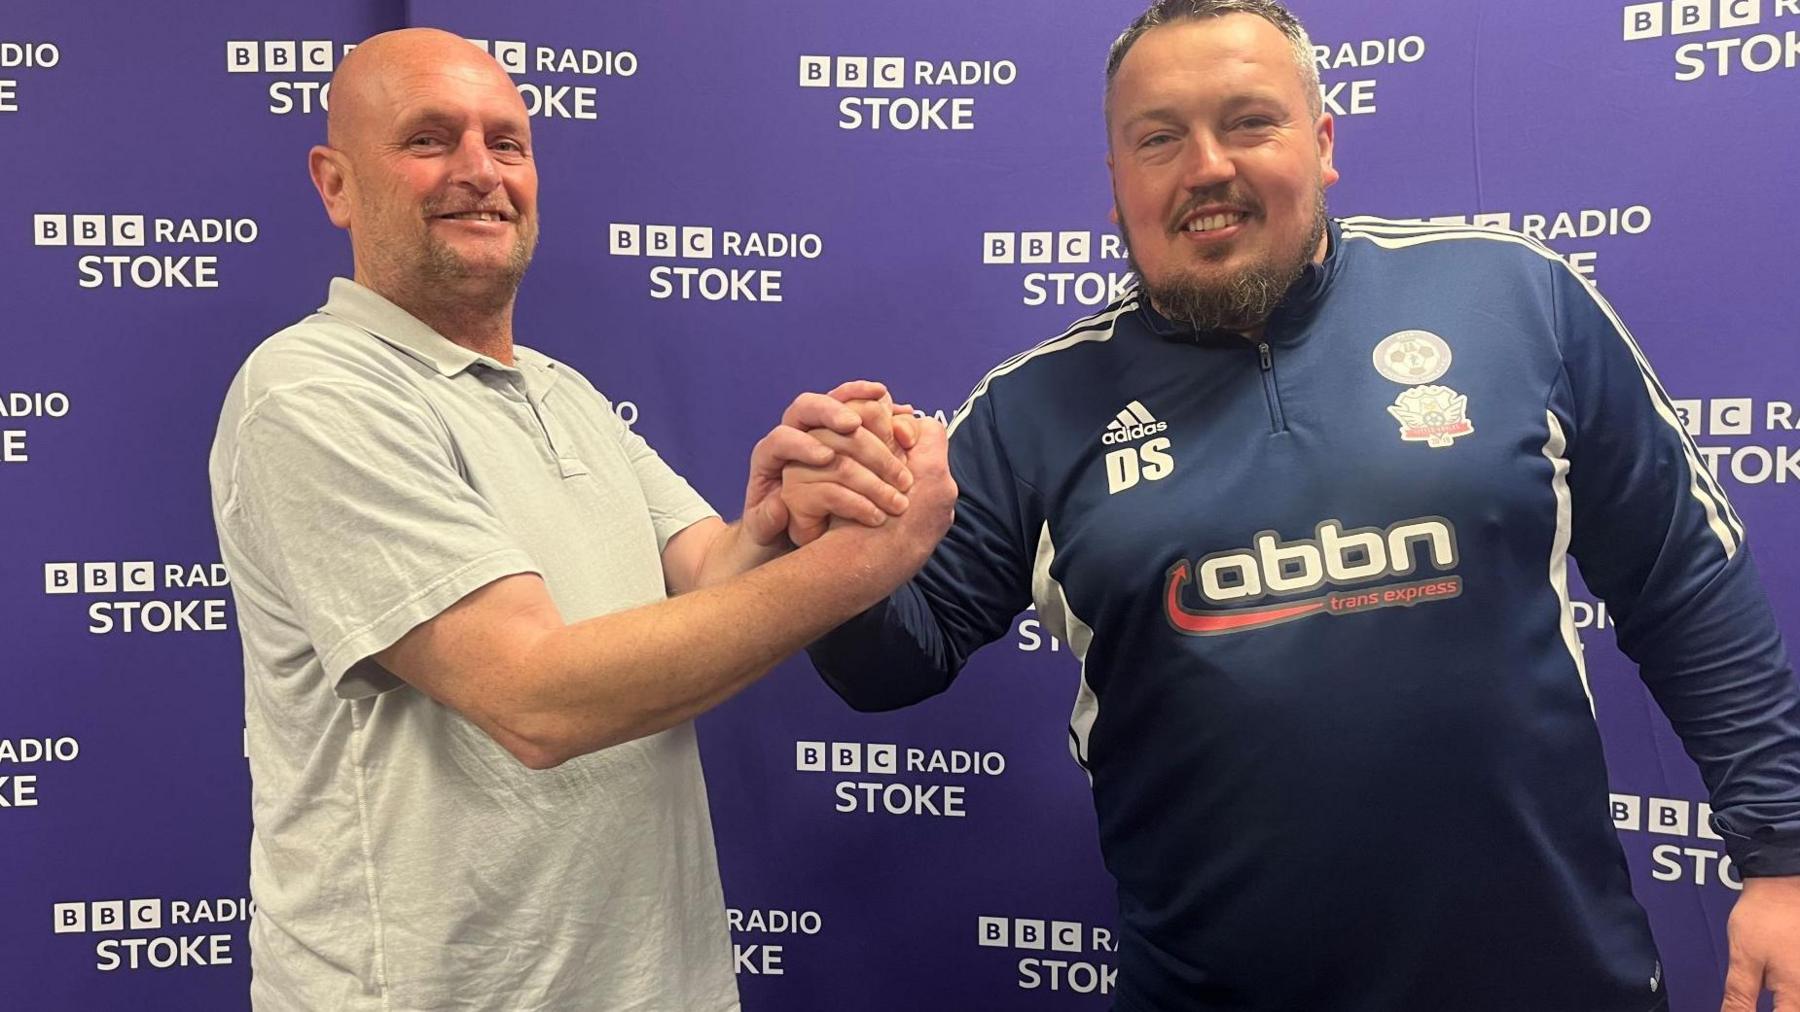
[366, 476]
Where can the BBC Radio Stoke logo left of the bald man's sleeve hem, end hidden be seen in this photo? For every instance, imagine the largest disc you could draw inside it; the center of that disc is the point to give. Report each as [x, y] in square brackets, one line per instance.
[143, 579]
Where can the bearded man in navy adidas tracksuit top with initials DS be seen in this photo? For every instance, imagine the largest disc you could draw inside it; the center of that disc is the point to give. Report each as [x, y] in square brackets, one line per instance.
[1302, 505]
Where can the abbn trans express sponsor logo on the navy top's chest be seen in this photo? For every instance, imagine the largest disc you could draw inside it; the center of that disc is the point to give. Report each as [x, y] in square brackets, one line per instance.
[1333, 557]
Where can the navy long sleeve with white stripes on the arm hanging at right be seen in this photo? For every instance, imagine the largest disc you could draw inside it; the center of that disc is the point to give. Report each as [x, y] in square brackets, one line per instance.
[1660, 543]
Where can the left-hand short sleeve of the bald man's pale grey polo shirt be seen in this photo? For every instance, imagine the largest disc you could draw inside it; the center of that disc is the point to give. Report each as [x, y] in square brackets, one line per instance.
[350, 500]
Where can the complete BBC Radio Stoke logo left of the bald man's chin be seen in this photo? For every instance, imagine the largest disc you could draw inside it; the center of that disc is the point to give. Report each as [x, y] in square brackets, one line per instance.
[139, 233]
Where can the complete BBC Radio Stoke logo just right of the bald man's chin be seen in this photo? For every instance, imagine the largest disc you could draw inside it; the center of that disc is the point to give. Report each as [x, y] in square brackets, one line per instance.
[748, 275]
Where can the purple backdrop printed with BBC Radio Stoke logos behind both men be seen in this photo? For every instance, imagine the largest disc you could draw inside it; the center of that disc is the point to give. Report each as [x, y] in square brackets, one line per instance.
[157, 224]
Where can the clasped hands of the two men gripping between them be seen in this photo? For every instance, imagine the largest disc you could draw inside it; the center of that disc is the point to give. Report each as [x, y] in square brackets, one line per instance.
[856, 460]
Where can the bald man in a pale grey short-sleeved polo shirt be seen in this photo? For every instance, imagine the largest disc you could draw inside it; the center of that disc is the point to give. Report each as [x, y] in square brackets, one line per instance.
[480, 615]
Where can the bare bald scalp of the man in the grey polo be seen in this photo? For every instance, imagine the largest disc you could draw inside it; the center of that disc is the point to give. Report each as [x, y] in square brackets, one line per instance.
[395, 66]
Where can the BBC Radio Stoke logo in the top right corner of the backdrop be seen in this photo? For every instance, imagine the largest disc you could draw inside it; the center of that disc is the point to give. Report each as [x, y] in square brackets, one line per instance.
[1743, 51]
